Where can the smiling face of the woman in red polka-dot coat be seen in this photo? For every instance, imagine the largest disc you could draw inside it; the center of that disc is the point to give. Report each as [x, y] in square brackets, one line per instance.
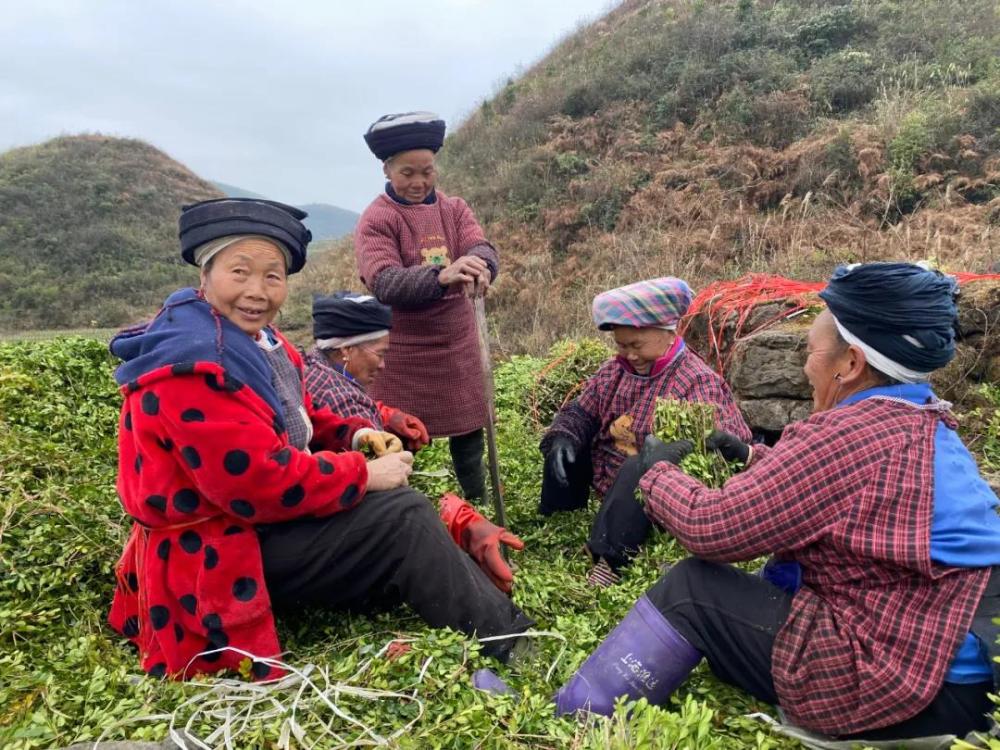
[247, 282]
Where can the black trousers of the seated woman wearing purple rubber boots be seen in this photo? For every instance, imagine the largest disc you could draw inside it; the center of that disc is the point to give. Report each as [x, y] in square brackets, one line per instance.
[733, 617]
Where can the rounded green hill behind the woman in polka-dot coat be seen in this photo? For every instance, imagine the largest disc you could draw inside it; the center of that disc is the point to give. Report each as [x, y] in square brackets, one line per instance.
[88, 231]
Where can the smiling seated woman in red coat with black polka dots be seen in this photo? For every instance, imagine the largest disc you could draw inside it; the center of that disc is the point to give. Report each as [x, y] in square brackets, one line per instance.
[244, 495]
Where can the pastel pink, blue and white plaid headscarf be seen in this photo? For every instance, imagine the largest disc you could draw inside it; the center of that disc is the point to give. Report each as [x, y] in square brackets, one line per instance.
[656, 303]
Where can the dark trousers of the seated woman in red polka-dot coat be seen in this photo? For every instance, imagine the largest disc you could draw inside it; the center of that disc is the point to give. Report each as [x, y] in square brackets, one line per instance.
[391, 548]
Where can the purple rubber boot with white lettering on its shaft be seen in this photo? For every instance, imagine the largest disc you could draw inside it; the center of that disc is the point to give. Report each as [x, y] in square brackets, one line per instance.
[644, 657]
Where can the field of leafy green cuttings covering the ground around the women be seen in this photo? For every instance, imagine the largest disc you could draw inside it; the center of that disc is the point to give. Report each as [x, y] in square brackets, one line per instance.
[66, 677]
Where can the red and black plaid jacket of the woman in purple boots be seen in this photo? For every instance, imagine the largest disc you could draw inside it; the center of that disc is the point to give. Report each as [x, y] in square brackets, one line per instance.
[849, 495]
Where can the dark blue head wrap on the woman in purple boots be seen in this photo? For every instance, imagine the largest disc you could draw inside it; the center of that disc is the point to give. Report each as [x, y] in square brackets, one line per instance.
[903, 311]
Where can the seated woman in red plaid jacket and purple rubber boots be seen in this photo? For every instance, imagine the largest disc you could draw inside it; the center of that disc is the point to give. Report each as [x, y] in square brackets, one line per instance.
[874, 618]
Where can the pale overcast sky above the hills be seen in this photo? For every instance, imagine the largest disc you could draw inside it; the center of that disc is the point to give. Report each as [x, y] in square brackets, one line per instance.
[271, 97]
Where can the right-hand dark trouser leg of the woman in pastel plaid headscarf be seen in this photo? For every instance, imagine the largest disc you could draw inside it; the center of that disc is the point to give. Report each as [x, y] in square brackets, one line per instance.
[621, 526]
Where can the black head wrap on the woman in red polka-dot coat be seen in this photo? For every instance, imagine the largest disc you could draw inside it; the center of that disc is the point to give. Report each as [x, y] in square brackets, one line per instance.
[209, 220]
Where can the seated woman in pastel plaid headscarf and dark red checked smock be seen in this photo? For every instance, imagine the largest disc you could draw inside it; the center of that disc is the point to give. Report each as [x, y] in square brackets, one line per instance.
[594, 440]
